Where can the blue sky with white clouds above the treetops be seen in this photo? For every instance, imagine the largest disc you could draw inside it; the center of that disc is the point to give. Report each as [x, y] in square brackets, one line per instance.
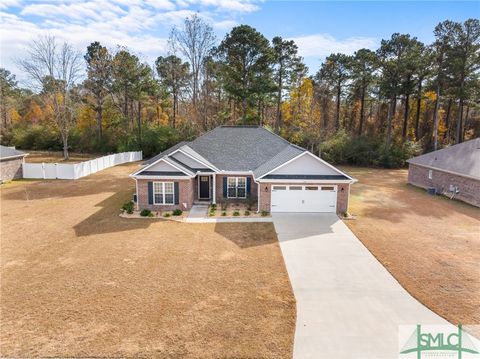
[318, 27]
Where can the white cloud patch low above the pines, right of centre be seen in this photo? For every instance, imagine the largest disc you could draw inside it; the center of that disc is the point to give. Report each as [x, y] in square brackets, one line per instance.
[322, 45]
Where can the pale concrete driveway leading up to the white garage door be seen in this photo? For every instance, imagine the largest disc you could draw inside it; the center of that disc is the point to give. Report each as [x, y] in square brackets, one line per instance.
[348, 305]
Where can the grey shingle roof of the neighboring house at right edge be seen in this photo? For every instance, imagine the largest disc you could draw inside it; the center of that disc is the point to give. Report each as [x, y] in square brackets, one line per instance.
[462, 159]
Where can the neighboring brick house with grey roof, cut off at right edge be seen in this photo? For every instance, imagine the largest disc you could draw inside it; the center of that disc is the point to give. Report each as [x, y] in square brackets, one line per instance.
[453, 171]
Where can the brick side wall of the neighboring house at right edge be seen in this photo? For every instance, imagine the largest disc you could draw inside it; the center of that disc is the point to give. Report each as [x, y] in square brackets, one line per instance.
[469, 188]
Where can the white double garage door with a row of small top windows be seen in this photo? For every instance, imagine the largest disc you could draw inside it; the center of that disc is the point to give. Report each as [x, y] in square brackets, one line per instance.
[298, 198]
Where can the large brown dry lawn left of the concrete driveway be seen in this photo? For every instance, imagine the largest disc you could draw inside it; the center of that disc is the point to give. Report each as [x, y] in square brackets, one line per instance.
[79, 281]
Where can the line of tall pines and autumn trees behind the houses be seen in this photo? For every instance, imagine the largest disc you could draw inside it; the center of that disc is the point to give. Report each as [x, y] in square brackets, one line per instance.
[373, 107]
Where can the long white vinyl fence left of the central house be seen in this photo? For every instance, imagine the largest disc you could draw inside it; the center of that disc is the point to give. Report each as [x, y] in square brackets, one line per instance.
[77, 170]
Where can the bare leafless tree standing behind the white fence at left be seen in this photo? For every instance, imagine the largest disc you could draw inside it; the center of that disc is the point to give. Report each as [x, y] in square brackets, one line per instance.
[54, 69]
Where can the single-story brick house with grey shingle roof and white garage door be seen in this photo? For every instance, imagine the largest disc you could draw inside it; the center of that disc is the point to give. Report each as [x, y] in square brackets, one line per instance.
[241, 163]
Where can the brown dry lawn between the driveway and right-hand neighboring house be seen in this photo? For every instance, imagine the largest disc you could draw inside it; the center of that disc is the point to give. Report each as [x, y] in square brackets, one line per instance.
[429, 243]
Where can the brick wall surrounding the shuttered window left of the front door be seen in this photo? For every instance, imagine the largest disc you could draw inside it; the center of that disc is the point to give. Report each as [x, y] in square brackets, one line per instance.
[186, 190]
